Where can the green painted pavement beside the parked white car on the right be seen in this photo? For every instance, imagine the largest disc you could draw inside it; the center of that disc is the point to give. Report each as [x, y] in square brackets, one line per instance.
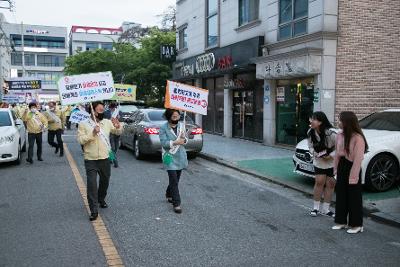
[282, 169]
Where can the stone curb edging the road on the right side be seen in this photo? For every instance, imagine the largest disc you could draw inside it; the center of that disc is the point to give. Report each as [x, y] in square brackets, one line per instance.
[369, 211]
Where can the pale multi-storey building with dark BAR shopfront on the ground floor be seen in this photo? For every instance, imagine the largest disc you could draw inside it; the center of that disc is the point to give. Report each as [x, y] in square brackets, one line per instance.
[268, 64]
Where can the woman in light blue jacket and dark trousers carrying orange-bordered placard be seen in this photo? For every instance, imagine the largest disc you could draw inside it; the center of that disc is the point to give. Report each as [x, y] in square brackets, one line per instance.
[173, 138]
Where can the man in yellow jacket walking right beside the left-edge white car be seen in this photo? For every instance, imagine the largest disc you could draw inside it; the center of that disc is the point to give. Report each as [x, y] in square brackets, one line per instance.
[36, 124]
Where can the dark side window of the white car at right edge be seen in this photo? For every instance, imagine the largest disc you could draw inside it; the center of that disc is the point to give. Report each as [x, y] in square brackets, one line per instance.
[387, 121]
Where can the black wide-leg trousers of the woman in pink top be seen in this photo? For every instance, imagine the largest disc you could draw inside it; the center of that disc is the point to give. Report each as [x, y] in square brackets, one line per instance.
[348, 197]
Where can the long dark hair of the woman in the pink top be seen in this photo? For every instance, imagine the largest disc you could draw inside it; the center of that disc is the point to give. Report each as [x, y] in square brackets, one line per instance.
[350, 127]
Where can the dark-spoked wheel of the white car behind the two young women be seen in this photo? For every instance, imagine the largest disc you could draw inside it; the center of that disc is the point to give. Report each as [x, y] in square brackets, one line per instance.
[381, 173]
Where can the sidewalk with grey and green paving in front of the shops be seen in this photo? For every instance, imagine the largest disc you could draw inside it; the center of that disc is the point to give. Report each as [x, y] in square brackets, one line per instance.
[275, 165]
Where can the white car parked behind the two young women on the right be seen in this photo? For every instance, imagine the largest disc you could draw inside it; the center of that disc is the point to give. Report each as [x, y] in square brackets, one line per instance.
[380, 168]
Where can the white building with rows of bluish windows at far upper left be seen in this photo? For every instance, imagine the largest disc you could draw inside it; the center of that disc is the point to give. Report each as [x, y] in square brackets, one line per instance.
[45, 50]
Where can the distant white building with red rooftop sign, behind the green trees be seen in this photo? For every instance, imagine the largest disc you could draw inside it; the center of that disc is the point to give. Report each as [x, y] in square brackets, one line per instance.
[87, 38]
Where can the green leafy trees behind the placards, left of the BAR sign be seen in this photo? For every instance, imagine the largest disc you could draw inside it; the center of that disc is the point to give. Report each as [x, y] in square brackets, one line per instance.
[141, 66]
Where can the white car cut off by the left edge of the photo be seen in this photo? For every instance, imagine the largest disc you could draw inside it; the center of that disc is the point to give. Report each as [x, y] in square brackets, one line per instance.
[12, 137]
